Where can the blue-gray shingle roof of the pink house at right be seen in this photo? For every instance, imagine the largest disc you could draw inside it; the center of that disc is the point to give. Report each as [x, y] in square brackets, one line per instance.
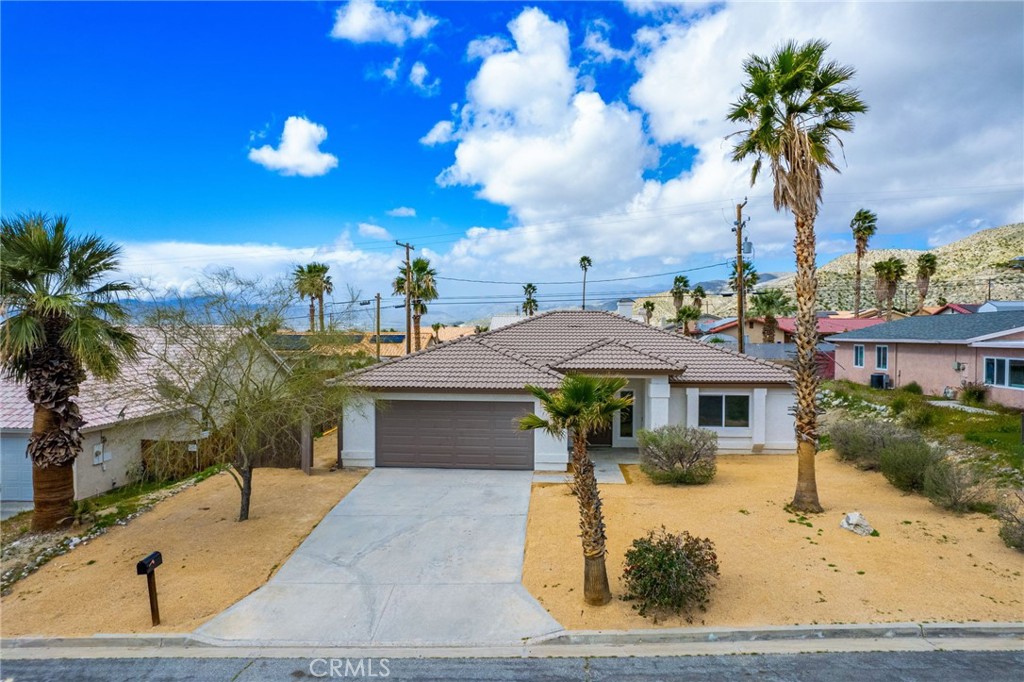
[938, 329]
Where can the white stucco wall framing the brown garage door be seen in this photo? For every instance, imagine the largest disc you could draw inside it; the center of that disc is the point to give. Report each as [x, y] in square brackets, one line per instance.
[359, 429]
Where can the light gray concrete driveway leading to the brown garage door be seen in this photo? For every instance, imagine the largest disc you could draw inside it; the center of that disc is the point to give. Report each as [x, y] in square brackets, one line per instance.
[411, 558]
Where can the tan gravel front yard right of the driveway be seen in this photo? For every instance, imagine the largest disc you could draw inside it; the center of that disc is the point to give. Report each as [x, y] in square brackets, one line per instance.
[927, 565]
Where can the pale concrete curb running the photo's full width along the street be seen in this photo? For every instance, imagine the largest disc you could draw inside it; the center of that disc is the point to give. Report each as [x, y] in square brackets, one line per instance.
[584, 637]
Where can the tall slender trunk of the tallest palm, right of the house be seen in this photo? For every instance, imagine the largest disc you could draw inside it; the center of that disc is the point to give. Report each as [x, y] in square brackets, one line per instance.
[806, 497]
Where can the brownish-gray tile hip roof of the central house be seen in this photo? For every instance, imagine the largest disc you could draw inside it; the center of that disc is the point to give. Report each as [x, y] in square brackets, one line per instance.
[537, 350]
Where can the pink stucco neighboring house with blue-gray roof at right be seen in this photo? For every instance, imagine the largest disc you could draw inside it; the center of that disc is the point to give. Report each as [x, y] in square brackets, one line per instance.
[941, 354]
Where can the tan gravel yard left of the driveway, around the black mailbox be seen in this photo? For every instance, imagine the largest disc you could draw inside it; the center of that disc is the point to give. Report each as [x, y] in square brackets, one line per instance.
[210, 561]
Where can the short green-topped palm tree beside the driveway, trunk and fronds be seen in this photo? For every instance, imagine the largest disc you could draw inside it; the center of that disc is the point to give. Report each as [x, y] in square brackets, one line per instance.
[583, 405]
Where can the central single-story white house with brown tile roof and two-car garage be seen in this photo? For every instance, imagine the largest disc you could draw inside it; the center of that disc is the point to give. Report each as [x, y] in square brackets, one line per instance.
[456, 405]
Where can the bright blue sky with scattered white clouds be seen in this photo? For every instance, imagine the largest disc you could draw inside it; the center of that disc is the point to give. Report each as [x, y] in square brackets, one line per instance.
[556, 131]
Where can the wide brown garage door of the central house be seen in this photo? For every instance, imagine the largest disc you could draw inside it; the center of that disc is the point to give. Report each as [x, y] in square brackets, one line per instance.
[453, 435]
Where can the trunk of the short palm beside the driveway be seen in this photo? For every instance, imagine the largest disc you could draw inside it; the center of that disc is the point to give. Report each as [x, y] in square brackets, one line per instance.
[595, 576]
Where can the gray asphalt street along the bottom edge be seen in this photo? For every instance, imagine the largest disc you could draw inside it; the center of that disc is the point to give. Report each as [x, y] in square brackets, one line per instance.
[904, 666]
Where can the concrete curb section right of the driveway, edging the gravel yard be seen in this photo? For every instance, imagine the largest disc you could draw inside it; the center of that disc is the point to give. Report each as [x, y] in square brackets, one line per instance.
[779, 633]
